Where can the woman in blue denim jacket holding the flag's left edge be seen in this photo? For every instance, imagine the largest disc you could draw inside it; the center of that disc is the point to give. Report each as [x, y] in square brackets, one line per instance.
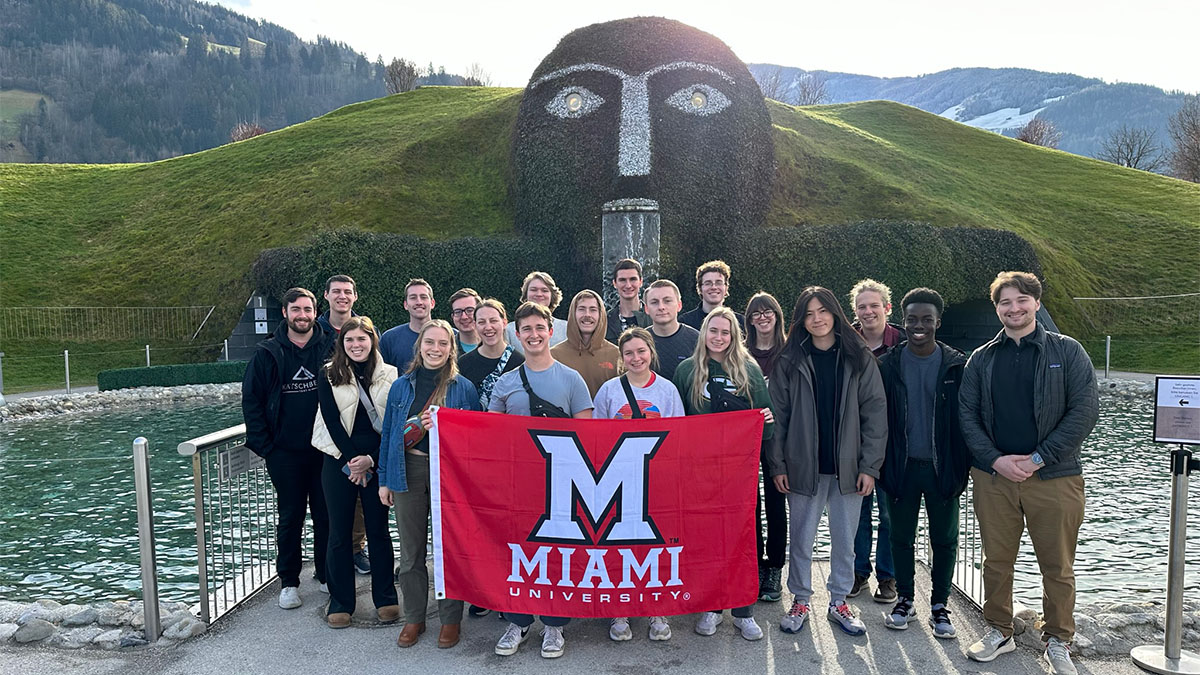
[431, 380]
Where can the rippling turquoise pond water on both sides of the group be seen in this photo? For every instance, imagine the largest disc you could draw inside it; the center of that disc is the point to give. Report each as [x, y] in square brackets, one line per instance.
[69, 523]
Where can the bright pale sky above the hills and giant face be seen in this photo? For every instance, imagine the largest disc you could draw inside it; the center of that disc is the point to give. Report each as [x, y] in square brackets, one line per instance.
[1149, 41]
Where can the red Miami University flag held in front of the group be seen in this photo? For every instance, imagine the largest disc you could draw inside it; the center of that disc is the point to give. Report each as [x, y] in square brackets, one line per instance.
[595, 518]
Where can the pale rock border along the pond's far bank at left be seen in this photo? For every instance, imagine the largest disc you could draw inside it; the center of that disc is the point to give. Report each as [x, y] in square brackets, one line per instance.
[135, 397]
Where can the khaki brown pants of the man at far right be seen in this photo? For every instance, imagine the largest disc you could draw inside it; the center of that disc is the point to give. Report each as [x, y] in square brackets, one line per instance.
[1053, 511]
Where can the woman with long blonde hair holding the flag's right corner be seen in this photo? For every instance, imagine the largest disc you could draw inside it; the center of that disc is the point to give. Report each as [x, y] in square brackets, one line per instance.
[721, 377]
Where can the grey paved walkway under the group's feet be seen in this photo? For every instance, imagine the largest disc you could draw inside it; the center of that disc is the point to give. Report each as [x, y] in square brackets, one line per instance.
[262, 638]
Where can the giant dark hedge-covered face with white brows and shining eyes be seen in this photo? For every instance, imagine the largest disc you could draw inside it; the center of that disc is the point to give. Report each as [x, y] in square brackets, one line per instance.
[643, 109]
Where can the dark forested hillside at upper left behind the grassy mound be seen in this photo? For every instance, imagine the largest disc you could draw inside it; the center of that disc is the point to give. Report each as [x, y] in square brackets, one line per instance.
[127, 81]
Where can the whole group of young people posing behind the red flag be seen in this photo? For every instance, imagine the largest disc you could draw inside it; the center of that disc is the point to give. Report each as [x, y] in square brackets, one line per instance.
[848, 408]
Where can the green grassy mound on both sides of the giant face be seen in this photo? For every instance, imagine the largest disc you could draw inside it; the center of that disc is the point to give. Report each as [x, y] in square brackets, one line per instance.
[435, 163]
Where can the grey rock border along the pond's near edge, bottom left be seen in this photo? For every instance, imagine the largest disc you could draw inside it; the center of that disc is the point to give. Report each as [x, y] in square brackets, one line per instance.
[103, 626]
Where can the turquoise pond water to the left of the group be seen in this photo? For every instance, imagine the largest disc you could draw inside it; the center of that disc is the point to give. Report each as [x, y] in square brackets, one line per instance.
[69, 525]
